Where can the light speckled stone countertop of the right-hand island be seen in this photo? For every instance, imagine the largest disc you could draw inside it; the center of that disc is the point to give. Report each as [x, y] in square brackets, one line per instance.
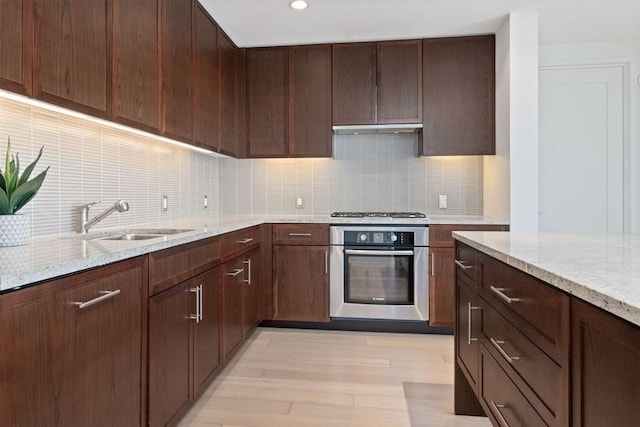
[602, 269]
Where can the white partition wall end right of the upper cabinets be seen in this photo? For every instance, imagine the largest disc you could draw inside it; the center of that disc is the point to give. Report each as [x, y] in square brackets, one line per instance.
[516, 125]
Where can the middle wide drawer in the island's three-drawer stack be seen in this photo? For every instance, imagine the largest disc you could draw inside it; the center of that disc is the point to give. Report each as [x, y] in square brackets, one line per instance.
[528, 366]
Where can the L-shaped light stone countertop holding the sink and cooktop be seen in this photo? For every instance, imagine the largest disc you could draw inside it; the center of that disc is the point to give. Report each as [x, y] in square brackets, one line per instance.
[52, 256]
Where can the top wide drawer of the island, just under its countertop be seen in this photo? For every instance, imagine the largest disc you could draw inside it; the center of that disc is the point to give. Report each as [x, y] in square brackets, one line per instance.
[539, 311]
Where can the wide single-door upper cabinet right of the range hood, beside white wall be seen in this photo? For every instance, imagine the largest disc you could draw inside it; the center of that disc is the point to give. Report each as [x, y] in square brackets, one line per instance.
[458, 96]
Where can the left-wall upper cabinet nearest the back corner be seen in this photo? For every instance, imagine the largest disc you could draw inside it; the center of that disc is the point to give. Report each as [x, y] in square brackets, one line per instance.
[231, 97]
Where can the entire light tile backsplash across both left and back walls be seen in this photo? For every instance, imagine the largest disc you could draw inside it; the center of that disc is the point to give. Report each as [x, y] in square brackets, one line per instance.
[90, 161]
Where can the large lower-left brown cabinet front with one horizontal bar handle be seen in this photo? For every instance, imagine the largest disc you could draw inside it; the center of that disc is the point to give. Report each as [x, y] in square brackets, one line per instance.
[65, 364]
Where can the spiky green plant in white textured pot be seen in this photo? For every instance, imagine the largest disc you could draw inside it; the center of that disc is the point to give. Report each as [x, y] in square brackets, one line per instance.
[16, 191]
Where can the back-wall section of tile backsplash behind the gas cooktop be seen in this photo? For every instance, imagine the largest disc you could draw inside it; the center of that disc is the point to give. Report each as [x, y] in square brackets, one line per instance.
[368, 172]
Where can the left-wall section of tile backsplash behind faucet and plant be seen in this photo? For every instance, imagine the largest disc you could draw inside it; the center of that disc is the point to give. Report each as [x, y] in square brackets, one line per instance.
[92, 162]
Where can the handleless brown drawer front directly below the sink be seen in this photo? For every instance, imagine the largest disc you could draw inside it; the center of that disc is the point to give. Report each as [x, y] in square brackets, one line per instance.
[174, 265]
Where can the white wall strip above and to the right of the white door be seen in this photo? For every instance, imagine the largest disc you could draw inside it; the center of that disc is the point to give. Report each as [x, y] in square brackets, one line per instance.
[627, 54]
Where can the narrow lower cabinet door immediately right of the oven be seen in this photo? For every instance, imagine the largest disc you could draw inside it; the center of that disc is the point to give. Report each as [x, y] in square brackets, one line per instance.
[442, 287]
